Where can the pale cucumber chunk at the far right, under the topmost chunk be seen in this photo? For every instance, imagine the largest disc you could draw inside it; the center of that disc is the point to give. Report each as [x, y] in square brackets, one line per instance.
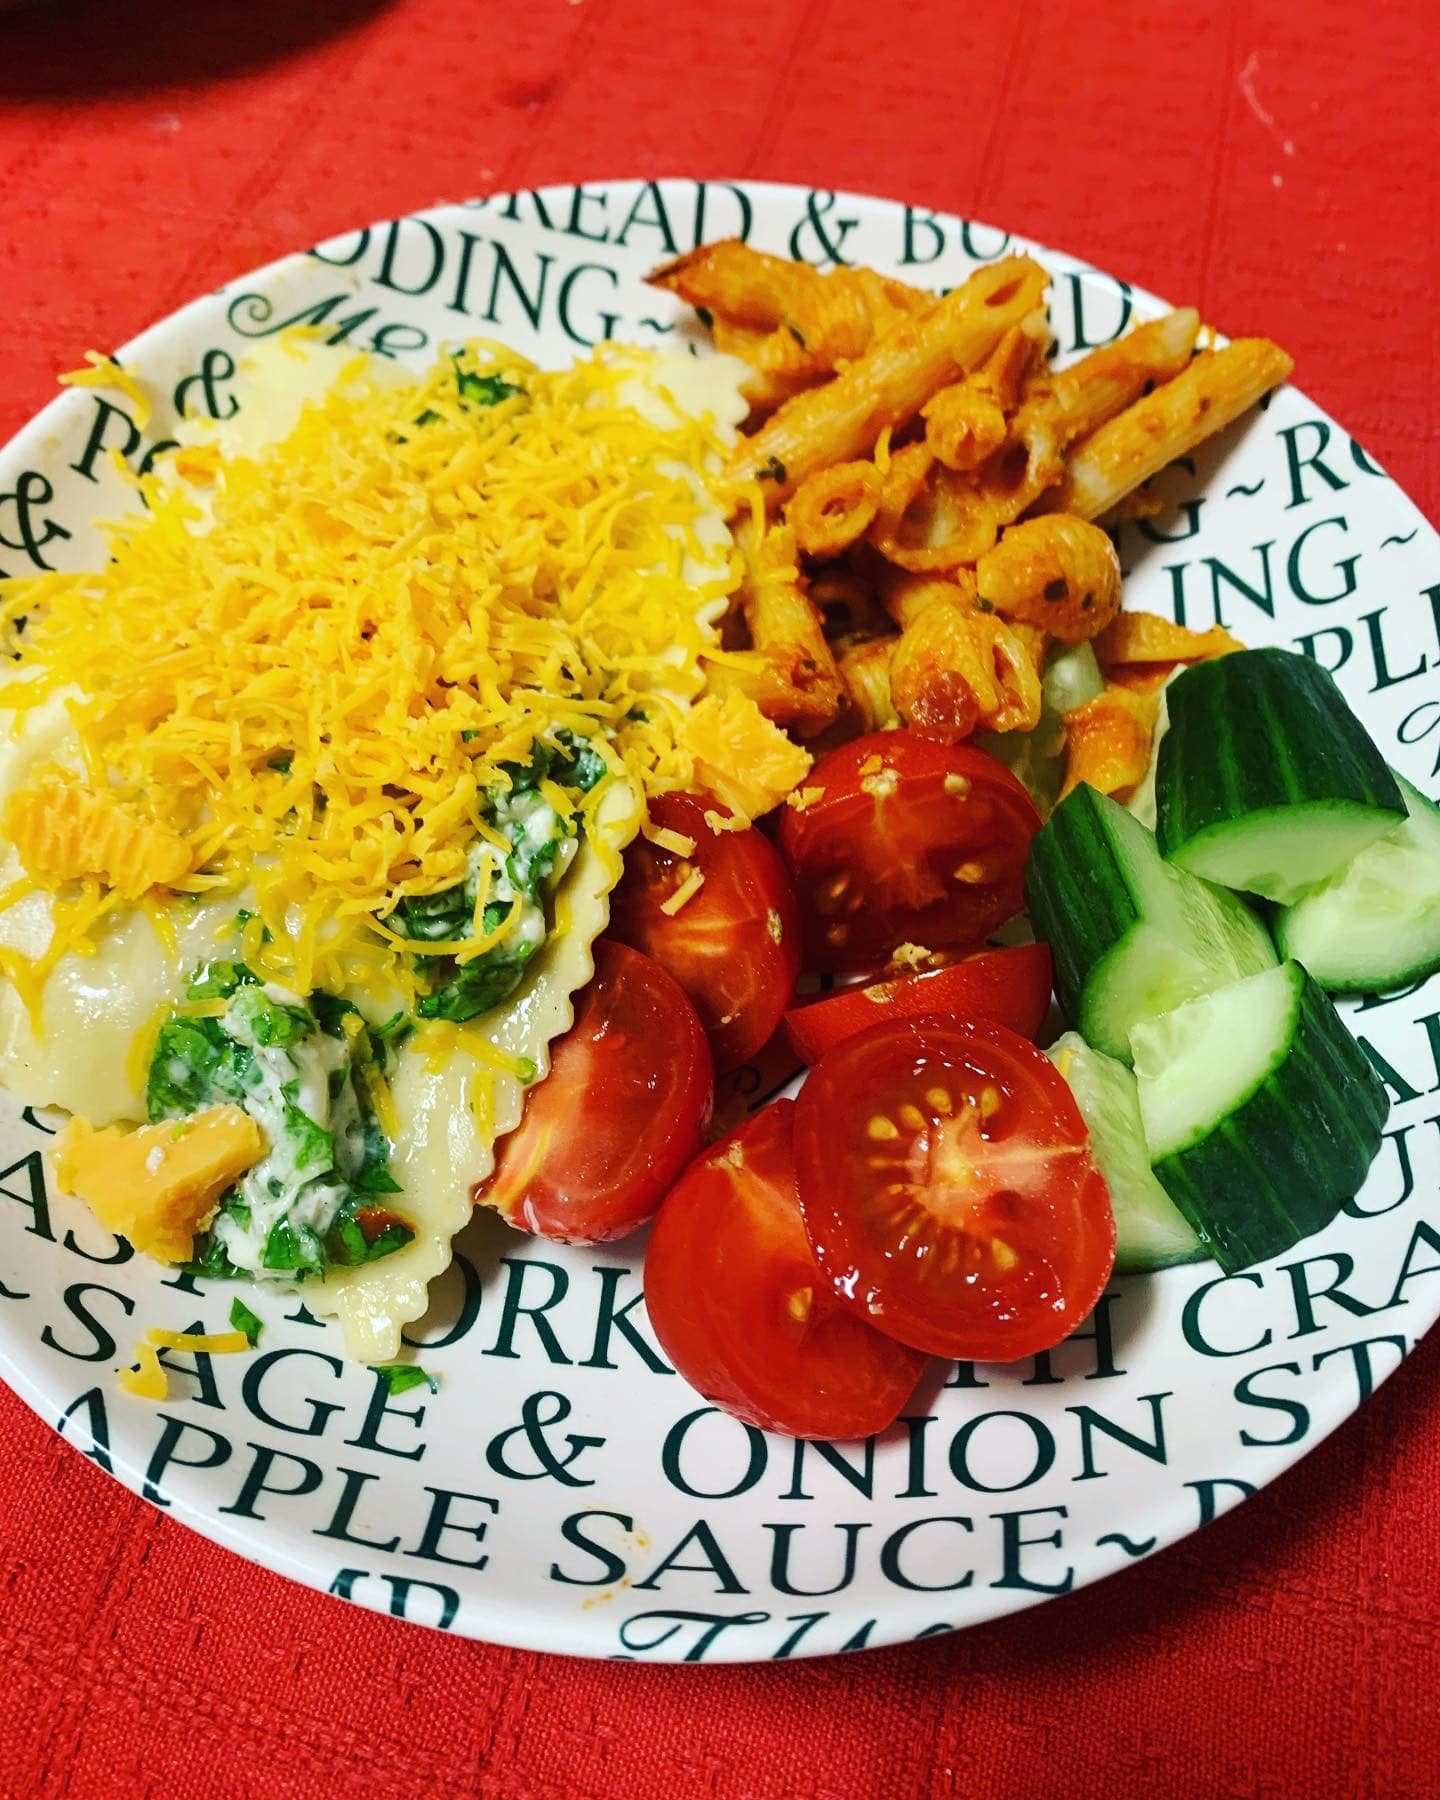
[1376, 924]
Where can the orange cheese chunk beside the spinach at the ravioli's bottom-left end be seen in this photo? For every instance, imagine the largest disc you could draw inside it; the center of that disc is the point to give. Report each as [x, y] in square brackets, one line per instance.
[159, 1183]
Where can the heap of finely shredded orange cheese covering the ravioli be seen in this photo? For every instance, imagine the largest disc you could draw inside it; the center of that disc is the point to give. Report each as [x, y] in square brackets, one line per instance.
[312, 679]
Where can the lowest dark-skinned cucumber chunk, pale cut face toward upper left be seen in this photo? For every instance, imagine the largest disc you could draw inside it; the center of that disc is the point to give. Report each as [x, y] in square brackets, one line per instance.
[1261, 1111]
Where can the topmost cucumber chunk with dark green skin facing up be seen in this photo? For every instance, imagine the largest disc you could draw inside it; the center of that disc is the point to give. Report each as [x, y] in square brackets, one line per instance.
[1266, 780]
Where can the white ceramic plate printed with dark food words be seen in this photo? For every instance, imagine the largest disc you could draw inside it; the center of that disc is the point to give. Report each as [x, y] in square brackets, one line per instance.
[564, 1491]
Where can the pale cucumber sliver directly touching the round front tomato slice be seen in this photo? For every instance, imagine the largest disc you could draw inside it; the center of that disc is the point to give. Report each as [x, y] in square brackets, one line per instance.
[1151, 1232]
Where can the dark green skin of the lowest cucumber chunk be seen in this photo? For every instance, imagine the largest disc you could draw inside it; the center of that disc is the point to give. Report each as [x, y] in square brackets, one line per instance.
[1293, 1153]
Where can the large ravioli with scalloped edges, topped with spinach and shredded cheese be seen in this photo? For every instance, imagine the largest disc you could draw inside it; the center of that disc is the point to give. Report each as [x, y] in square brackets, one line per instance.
[388, 1050]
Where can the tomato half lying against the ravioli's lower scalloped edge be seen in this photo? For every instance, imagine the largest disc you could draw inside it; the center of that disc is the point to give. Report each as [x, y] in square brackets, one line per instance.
[620, 1115]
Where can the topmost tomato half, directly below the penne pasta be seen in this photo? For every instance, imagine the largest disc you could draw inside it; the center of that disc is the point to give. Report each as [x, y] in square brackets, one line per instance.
[906, 841]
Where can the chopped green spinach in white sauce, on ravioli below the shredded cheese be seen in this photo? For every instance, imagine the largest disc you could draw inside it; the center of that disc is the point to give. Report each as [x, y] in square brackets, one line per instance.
[305, 1070]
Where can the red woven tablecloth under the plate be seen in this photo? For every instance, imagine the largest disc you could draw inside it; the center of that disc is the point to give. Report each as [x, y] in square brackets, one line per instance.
[1272, 161]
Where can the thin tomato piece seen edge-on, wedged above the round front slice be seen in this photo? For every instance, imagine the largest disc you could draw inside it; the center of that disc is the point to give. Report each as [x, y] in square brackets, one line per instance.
[1011, 985]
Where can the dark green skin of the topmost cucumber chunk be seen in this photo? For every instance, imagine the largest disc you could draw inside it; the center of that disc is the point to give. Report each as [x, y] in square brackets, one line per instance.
[1239, 724]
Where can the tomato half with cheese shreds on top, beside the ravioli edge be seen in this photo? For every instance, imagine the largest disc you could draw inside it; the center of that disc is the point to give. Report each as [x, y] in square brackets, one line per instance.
[735, 942]
